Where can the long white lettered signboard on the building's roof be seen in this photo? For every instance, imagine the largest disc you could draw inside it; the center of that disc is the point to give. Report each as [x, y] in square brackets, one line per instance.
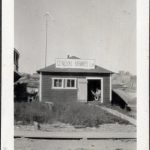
[75, 63]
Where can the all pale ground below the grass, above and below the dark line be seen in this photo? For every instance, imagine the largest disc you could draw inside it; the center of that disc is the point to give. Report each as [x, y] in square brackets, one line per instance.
[63, 130]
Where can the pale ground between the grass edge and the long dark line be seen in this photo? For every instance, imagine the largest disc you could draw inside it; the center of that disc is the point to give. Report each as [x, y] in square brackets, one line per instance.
[67, 131]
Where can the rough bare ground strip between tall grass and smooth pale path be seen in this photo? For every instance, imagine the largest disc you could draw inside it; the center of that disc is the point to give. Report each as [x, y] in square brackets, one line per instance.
[58, 126]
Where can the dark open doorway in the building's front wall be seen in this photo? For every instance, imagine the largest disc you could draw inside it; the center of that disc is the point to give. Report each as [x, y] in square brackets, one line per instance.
[92, 86]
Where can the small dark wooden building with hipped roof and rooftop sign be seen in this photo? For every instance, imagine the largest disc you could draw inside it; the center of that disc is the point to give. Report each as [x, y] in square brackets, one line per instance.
[74, 80]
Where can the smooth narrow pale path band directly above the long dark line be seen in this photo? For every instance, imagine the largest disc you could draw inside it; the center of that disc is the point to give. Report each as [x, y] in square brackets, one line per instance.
[75, 135]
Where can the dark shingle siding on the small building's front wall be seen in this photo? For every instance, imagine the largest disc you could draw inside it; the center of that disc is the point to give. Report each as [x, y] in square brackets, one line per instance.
[50, 94]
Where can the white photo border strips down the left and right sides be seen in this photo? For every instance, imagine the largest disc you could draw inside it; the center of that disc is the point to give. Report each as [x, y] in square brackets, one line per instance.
[7, 106]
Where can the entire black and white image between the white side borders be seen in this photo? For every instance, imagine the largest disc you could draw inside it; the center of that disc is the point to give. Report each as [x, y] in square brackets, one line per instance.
[74, 75]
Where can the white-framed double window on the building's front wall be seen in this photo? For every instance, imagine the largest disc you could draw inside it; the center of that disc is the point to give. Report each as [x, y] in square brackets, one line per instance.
[63, 83]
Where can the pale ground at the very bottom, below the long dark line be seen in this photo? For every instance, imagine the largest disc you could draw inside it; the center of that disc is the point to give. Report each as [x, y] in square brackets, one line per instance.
[28, 144]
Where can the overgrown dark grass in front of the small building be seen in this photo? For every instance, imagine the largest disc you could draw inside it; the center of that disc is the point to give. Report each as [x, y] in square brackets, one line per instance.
[73, 113]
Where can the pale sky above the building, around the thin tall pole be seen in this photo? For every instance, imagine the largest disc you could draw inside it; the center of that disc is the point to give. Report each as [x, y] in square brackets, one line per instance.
[104, 30]
